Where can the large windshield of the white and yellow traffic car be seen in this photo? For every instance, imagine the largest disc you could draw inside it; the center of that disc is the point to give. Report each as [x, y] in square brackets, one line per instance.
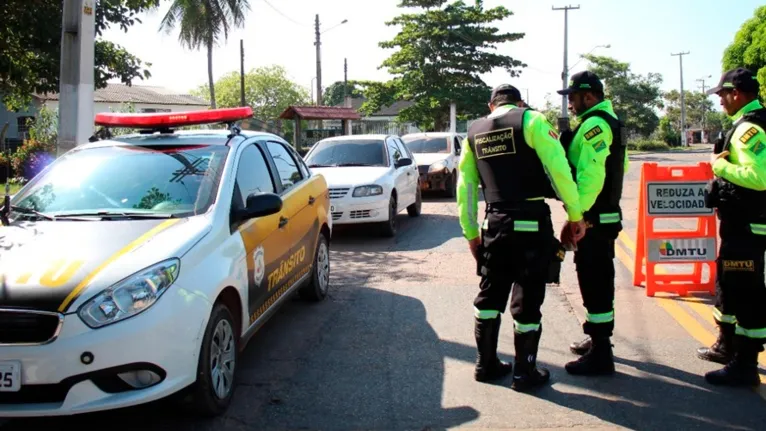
[171, 179]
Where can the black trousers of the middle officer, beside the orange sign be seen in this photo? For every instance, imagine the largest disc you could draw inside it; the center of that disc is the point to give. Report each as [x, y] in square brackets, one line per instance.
[594, 262]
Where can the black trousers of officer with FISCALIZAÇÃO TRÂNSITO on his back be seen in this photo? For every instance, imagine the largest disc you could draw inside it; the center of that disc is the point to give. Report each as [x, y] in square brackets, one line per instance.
[517, 250]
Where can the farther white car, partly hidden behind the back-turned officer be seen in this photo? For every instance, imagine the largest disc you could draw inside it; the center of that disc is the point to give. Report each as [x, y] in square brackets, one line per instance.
[437, 156]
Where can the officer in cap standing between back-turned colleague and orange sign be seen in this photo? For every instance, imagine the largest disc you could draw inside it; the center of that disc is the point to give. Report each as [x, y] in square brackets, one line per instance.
[596, 150]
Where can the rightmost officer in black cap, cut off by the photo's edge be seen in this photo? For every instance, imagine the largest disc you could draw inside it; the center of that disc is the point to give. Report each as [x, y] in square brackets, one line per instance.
[738, 191]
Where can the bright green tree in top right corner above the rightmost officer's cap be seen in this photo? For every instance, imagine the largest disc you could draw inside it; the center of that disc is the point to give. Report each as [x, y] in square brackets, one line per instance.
[749, 48]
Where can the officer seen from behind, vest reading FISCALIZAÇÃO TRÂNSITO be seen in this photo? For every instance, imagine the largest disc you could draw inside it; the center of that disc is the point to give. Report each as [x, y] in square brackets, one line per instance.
[516, 156]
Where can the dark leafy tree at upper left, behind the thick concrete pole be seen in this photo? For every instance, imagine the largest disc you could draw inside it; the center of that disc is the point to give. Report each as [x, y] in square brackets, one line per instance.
[30, 47]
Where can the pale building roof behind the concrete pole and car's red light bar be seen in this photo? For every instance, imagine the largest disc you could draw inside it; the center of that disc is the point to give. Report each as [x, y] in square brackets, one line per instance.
[144, 94]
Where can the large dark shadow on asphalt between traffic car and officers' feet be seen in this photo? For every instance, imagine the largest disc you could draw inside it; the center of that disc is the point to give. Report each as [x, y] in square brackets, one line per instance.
[366, 359]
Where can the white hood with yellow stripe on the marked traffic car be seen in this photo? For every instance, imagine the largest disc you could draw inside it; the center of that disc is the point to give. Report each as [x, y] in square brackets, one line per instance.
[57, 265]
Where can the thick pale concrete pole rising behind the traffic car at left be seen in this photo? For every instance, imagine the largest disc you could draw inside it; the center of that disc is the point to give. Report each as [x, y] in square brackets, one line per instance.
[76, 74]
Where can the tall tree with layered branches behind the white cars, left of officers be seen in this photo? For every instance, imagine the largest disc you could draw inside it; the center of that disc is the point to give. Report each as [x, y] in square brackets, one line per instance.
[442, 51]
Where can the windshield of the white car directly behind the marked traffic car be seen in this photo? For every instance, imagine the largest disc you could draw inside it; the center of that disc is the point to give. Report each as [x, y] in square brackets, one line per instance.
[356, 152]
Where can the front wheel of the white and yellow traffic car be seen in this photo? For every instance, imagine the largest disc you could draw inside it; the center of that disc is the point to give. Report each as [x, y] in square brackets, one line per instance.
[217, 364]
